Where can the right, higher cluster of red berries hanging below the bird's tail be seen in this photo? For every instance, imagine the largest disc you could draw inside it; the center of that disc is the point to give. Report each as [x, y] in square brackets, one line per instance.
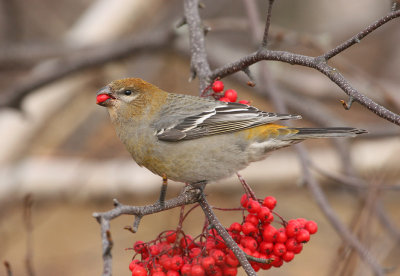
[258, 238]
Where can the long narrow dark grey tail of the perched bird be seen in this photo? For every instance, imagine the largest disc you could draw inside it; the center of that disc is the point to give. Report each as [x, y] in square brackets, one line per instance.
[330, 132]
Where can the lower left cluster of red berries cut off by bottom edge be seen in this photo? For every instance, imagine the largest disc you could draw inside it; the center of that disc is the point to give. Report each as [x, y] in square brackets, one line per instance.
[173, 253]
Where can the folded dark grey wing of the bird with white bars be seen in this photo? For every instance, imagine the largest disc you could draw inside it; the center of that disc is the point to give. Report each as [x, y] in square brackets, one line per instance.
[217, 119]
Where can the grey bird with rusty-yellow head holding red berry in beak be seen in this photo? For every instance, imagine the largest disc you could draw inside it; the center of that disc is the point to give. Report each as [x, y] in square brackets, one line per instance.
[191, 139]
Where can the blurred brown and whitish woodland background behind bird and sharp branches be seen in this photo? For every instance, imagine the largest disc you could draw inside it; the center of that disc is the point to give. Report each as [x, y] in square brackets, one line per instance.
[59, 147]
